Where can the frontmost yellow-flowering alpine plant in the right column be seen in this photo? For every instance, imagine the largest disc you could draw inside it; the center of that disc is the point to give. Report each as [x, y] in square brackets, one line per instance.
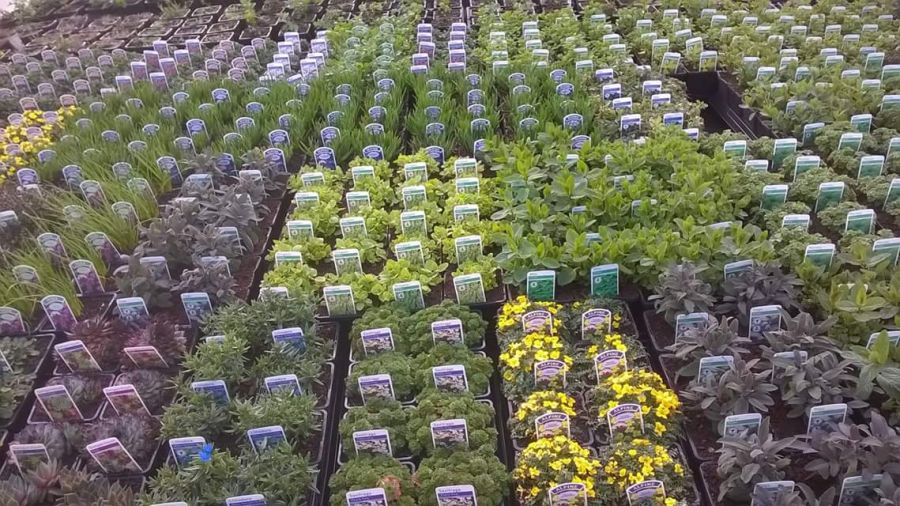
[631, 462]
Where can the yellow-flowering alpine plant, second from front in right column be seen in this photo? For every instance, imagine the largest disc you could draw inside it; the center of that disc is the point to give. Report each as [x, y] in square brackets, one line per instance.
[660, 406]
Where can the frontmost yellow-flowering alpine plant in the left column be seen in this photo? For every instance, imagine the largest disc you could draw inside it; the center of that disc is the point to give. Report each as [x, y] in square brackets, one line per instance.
[549, 462]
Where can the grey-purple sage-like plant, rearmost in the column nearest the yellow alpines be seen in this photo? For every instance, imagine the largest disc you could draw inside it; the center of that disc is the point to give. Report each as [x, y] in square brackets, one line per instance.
[681, 290]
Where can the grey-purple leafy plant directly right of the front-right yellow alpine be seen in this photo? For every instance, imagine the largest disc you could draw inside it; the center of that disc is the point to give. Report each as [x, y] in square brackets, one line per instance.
[749, 459]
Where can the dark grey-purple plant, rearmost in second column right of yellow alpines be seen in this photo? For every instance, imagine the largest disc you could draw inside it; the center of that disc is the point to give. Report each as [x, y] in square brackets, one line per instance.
[761, 285]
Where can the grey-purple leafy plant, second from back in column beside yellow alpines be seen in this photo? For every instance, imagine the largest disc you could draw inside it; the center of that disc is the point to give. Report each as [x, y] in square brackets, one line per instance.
[719, 338]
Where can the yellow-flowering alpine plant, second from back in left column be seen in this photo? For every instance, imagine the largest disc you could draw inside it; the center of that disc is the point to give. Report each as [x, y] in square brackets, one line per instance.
[518, 358]
